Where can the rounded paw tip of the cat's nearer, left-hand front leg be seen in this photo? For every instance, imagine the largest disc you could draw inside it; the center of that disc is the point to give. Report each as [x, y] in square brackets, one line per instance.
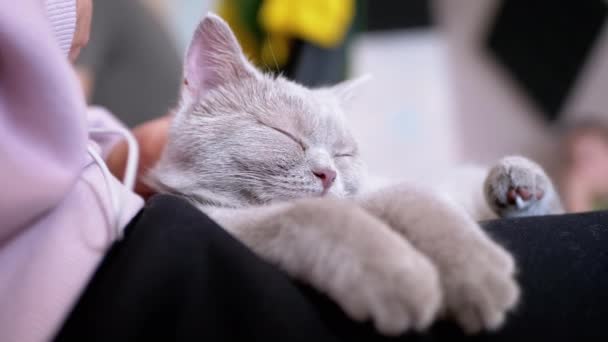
[397, 292]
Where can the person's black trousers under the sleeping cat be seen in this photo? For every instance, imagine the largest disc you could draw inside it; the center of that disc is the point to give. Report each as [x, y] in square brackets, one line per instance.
[177, 276]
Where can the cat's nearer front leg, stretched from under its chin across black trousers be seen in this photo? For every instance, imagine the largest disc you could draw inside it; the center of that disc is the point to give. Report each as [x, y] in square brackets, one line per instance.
[345, 252]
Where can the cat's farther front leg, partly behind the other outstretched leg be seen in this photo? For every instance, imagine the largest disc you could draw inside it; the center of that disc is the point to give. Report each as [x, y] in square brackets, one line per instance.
[477, 274]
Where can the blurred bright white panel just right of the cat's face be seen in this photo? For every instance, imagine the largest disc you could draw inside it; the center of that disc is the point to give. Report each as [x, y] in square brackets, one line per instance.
[403, 118]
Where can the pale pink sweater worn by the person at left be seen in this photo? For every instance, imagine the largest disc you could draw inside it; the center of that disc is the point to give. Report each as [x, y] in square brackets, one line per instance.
[56, 221]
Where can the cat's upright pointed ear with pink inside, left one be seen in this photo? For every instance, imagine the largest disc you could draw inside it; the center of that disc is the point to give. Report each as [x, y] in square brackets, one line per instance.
[214, 58]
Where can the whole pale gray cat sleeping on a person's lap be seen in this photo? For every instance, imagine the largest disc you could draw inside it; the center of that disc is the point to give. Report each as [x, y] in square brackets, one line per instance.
[275, 164]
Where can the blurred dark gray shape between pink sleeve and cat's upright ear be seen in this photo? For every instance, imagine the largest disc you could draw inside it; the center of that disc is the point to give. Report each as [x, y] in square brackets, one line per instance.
[131, 62]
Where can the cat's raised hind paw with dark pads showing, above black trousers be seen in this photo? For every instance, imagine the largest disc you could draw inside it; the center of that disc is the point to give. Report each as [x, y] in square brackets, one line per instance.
[517, 186]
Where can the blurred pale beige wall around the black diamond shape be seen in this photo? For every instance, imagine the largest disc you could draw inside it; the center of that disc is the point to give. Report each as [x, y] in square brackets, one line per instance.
[494, 116]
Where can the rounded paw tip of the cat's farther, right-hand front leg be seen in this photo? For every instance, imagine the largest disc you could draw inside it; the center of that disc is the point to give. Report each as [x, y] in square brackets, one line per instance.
[481, 292]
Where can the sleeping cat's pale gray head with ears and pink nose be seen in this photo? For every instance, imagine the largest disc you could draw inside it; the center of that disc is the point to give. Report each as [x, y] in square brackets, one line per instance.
[241, 137]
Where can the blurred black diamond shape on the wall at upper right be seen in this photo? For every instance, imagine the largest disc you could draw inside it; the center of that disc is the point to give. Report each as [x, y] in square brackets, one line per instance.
[545, 45]
